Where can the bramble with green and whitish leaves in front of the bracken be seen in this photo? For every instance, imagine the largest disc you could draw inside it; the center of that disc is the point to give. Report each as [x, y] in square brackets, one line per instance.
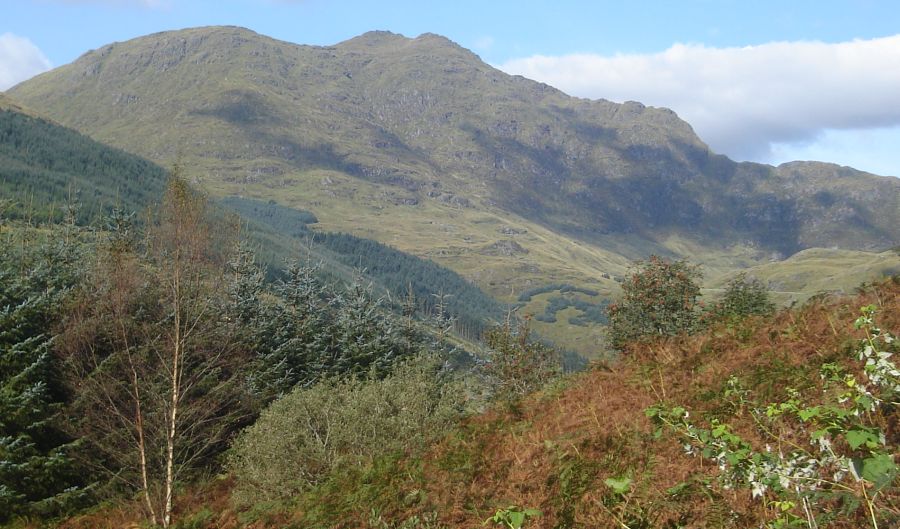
[850, 460]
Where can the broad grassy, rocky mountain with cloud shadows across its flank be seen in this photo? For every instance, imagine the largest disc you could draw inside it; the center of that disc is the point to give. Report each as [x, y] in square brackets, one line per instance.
[417, 143]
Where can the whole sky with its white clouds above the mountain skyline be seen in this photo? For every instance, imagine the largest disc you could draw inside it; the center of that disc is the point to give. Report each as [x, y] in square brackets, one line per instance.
[763, 80]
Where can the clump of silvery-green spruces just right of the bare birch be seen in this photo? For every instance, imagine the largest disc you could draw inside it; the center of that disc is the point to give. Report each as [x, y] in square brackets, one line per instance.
[301, 331]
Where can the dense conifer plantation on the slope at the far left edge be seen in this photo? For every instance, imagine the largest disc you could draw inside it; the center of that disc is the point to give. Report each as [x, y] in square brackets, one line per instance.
[43, 166]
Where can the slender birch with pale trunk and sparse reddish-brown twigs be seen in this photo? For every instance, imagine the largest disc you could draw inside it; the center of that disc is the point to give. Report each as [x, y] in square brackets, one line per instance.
[151, 361]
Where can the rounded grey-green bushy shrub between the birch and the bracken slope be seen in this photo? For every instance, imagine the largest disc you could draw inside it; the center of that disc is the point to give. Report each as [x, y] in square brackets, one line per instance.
[311, 431]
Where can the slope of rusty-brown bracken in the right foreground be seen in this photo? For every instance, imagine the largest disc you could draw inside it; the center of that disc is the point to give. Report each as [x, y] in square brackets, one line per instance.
[587, 456]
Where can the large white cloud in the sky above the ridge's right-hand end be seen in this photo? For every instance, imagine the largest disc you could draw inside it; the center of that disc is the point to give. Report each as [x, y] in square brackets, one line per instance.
[744, 101]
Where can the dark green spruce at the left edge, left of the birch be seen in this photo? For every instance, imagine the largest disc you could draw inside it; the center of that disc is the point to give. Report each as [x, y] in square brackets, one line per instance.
[37, 475]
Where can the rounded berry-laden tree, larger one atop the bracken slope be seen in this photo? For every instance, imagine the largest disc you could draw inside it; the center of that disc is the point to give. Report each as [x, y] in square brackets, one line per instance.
[659, 299]
